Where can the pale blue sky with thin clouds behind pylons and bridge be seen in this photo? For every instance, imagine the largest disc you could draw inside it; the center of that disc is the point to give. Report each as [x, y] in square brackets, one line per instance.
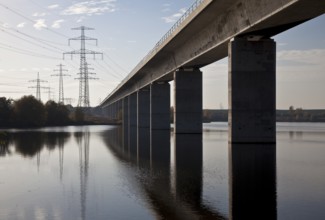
[35, 33]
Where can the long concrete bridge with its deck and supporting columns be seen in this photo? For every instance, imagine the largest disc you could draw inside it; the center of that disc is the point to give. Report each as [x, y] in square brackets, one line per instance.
[209, 31]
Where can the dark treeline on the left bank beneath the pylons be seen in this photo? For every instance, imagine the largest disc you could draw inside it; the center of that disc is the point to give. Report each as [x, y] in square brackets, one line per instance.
[30, 112]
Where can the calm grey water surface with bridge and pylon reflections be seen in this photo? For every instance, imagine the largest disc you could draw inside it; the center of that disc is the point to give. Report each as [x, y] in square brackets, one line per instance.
[92, 172]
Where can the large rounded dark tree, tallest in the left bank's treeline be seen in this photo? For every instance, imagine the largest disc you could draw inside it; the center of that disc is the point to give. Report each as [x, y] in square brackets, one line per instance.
[29, 112]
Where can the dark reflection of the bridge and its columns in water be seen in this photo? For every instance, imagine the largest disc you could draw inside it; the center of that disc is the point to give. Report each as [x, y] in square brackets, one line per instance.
[178, 194]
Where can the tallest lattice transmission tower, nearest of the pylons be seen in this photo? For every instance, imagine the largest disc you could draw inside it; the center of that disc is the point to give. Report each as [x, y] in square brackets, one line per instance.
[84, 78]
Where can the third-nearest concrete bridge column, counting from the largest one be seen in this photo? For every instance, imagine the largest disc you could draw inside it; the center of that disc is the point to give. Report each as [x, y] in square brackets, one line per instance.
[160, 106]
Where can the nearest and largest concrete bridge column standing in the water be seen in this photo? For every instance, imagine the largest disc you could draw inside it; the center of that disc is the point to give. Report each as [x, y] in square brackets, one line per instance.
[252, 91]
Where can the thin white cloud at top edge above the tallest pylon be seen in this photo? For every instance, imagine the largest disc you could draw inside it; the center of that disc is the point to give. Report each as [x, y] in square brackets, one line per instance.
[90, 8]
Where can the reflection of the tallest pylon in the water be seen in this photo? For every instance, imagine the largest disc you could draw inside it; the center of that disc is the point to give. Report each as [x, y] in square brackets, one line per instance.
[83, 144]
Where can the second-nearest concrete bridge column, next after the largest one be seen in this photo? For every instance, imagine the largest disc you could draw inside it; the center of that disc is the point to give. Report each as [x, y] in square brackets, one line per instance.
[188, 101]
